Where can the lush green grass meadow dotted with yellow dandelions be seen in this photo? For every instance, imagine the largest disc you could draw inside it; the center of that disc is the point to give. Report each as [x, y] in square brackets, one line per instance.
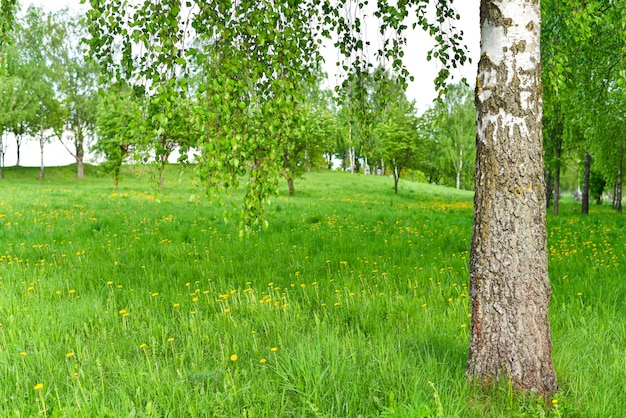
[354, 302]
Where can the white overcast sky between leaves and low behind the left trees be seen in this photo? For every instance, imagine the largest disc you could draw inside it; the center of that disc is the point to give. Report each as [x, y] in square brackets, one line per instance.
[421, 90]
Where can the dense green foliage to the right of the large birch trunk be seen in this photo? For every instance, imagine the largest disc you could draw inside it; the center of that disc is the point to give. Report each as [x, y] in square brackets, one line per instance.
[583, 60]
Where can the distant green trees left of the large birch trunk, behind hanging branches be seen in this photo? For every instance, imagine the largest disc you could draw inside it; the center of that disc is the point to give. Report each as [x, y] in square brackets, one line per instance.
[51, 92]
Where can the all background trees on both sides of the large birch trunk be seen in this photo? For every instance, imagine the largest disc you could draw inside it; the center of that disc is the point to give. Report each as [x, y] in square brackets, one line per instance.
[50, 92]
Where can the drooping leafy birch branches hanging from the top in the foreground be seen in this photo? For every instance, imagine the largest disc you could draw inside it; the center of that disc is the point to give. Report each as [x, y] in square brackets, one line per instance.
[241, 63]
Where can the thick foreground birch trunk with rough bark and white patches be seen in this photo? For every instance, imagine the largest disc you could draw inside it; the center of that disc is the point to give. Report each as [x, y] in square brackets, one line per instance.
[509, 285]
